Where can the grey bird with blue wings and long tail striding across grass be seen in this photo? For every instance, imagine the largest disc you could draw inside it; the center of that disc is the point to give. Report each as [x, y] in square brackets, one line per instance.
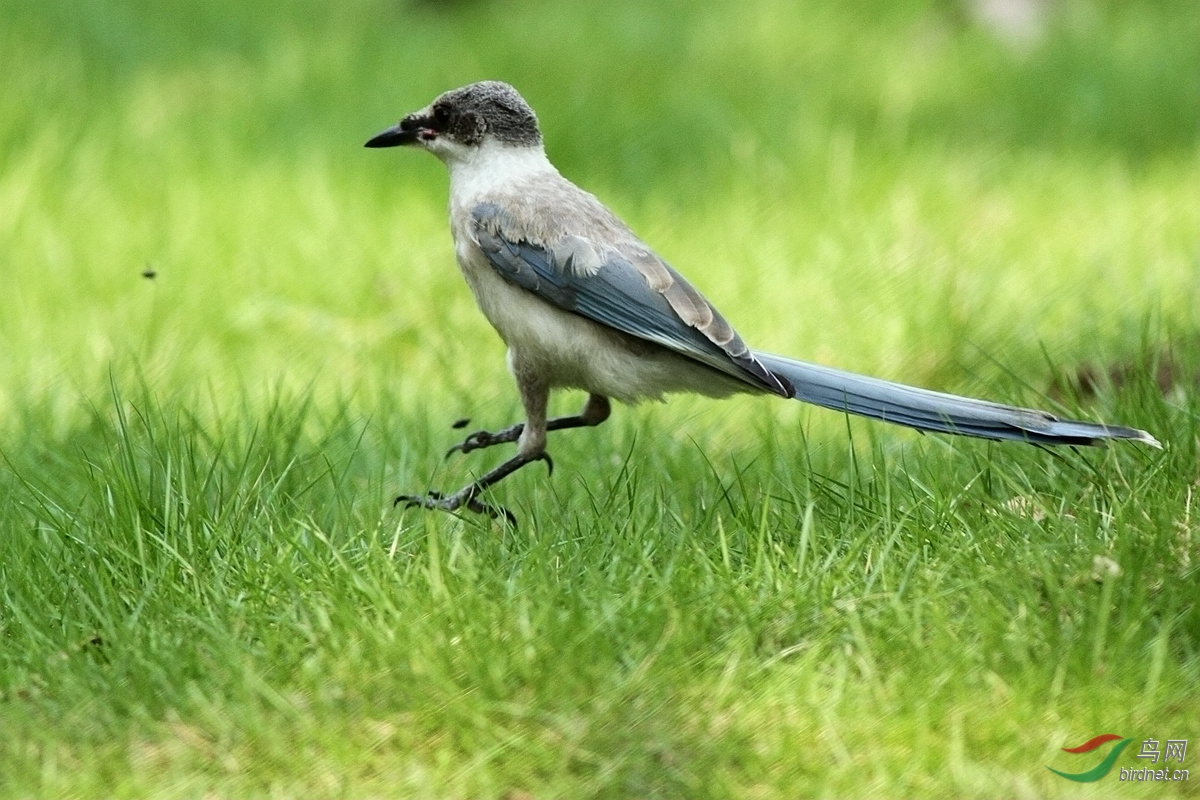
[583, 303]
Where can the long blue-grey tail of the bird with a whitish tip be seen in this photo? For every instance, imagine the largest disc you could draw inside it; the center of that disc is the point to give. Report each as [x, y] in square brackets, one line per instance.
[938, 412]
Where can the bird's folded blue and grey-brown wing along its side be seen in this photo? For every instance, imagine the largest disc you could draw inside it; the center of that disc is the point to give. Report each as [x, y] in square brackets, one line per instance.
[626, 287]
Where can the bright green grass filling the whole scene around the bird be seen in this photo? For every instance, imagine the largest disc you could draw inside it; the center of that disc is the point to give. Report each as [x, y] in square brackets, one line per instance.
[205, 590]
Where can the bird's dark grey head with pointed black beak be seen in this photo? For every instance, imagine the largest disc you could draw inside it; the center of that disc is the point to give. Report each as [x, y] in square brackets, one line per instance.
[464, 121]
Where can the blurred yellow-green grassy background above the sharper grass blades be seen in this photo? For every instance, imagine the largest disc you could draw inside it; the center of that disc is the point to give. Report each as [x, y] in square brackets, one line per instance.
[884, 187]
